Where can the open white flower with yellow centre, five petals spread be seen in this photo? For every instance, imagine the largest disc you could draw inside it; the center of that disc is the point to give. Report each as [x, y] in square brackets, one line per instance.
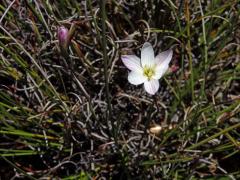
[148, 69]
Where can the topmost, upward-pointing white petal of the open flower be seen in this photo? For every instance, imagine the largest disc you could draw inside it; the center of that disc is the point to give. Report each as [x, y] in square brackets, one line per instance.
[147, 55]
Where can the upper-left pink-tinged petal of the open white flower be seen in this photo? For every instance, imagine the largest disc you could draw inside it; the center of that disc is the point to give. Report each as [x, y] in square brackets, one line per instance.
[132, 62]
